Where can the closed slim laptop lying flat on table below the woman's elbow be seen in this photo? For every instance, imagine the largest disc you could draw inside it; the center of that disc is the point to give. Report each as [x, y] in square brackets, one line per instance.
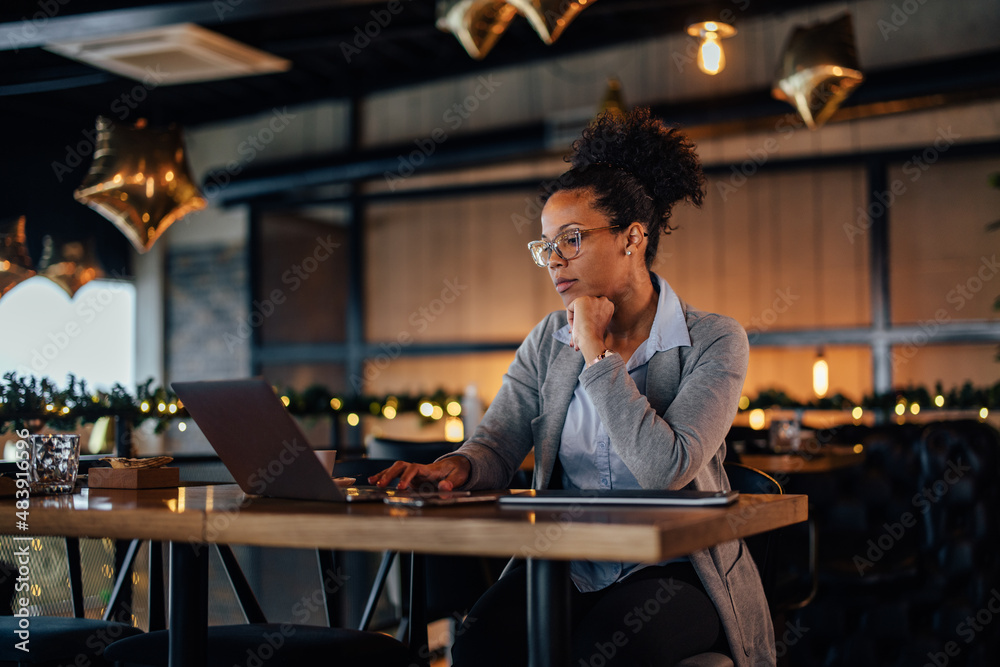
[620, 497]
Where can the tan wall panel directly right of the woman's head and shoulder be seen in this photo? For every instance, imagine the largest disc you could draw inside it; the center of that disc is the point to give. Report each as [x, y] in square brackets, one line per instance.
[777, 252]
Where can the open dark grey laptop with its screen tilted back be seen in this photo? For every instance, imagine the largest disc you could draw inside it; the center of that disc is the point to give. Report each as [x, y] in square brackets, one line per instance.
[260, 443]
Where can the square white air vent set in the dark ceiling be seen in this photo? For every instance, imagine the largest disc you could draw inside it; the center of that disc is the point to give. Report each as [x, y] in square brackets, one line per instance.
[183, 53]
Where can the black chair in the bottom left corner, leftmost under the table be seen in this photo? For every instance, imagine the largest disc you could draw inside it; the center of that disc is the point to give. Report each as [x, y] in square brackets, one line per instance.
[61, 640]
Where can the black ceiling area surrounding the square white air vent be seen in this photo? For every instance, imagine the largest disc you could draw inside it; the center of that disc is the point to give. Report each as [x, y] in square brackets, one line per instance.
[325, 42]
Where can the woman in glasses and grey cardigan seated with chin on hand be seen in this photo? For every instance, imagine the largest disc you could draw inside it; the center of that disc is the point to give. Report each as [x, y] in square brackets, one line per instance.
[627, 388]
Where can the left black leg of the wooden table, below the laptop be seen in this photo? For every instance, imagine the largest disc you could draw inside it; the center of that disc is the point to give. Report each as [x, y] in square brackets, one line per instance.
[188, 604]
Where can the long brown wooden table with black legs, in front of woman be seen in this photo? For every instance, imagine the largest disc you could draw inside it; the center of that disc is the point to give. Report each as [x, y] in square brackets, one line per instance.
[192, 516]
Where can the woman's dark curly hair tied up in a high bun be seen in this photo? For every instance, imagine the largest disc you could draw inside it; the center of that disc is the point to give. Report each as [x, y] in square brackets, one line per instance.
[637, 168]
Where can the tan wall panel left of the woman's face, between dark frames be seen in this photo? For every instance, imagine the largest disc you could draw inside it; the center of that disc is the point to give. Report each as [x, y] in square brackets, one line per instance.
[469, 243]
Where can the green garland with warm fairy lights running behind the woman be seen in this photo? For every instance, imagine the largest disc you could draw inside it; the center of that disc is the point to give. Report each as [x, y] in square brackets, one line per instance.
[33, 402]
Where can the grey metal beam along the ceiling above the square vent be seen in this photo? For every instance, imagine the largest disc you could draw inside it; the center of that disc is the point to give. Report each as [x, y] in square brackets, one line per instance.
[41, 28]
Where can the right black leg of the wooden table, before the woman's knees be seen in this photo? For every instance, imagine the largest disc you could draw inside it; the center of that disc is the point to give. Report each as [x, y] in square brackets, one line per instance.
[548, 613]
